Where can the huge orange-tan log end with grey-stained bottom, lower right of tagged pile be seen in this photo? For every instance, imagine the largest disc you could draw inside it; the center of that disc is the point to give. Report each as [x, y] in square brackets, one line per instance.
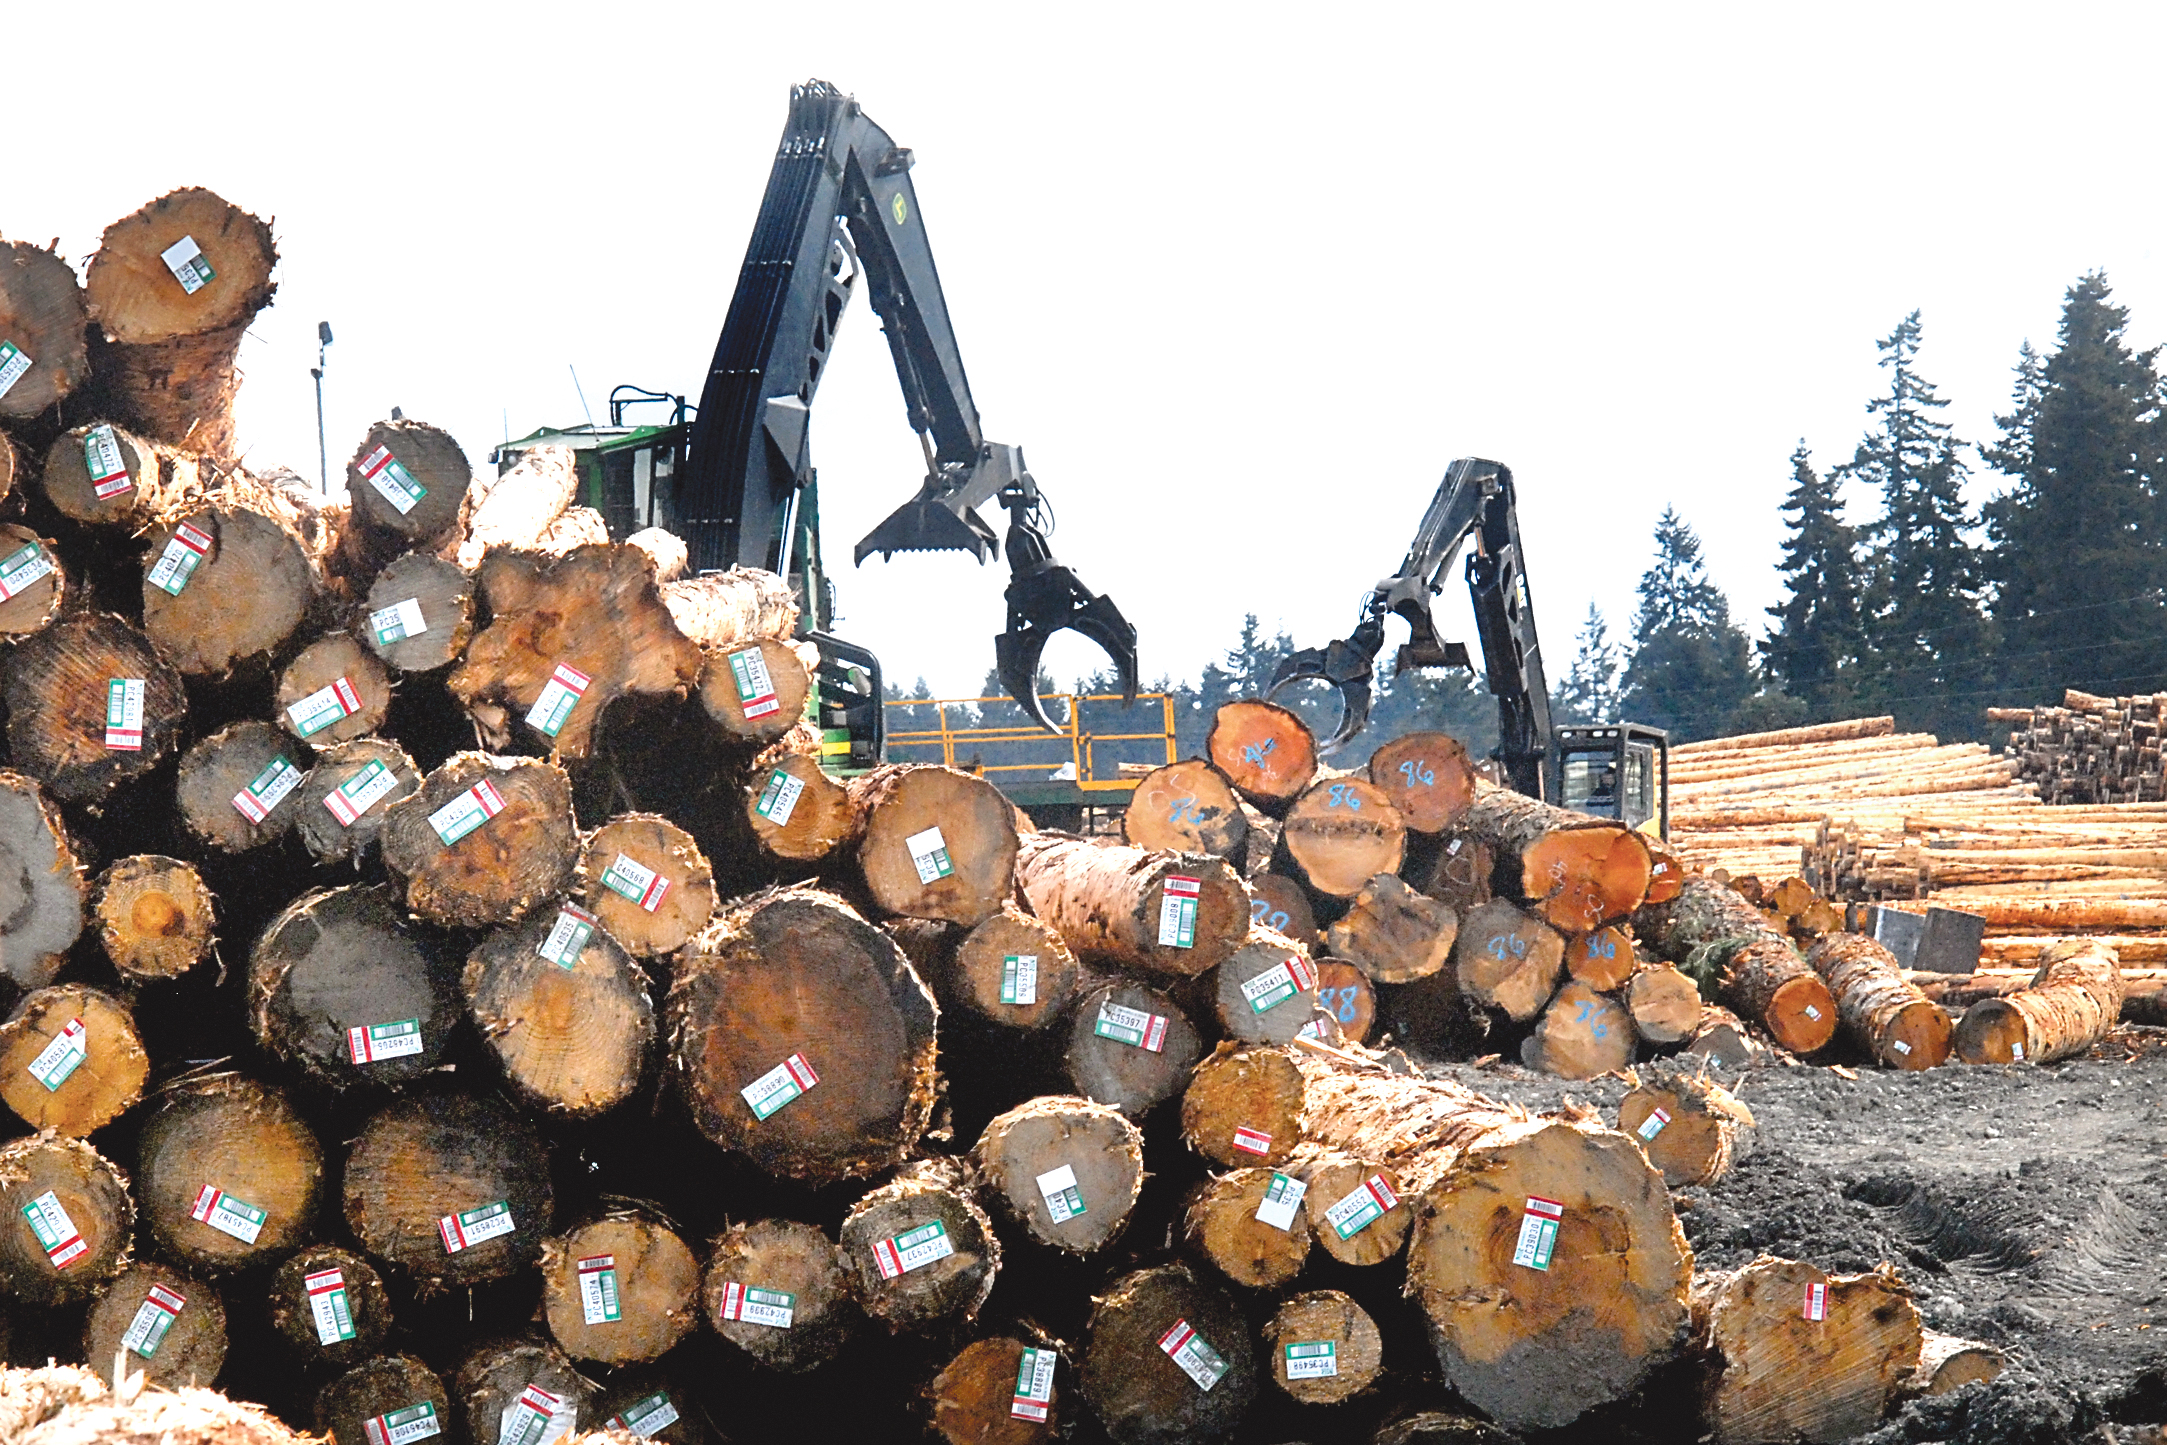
[1540, 1346]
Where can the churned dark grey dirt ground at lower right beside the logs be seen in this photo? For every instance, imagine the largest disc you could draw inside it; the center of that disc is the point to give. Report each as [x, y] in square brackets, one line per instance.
[2023, 1206]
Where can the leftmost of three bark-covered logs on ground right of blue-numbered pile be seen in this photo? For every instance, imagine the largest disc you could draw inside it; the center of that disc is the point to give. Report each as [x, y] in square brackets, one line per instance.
[1761, 974]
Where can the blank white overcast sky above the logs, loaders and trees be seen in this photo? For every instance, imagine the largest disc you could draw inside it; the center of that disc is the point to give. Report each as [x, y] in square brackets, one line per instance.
[1241, 281]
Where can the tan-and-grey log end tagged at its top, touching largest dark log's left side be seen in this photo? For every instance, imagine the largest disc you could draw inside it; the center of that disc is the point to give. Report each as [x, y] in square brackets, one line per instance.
[565, 1011]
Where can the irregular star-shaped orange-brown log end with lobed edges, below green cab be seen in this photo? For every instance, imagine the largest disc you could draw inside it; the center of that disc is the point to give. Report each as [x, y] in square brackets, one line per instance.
[567, 638]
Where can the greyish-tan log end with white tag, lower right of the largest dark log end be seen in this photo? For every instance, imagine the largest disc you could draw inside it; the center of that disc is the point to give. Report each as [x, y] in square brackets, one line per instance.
[1067, 1171]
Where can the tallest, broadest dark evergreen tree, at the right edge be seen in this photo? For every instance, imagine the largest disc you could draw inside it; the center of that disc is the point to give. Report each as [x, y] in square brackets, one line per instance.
[2079, 558]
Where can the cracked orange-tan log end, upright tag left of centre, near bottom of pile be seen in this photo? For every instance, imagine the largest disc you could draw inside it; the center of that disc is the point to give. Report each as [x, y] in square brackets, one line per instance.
[621, 1290]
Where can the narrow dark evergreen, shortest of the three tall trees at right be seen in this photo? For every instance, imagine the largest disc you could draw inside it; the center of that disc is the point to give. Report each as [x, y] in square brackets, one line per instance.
[1815, 647]
